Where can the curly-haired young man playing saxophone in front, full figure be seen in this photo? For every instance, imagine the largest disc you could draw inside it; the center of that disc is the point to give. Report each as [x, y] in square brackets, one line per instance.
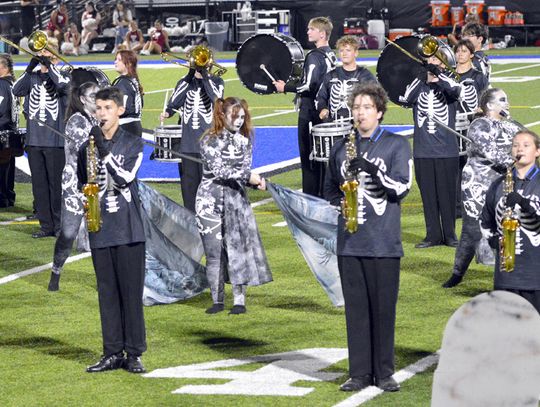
[368, 265]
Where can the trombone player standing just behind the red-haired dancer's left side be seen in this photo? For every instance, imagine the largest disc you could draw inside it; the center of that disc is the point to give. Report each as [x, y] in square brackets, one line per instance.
[193, 96]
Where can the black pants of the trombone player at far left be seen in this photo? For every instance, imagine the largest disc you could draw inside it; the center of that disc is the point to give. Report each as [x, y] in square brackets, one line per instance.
[46, 165]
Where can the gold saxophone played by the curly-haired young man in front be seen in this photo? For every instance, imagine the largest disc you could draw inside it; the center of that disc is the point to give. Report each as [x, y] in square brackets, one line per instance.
[349, 204]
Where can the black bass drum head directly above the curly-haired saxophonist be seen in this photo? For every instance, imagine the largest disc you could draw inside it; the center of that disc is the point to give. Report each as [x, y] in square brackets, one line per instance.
[396, 70]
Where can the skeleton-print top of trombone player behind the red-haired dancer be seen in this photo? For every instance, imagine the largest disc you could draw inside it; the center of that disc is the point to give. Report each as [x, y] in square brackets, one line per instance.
[195, 97]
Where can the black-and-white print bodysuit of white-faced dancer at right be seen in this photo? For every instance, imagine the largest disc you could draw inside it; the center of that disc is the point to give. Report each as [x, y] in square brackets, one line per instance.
[489, 154]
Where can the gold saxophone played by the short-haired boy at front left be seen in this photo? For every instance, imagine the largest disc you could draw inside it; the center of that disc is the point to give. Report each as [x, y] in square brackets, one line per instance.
[91, 189]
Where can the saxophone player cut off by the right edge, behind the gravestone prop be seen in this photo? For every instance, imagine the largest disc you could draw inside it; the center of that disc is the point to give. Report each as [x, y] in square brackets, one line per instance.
[525, 200]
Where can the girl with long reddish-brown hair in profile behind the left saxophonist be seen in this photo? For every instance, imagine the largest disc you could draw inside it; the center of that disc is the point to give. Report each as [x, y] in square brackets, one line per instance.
[128, 82]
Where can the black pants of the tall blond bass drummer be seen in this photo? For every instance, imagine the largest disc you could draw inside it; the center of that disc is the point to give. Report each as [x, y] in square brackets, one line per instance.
[312, 171]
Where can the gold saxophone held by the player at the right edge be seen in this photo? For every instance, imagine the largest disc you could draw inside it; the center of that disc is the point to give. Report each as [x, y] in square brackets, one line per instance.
[509, 226]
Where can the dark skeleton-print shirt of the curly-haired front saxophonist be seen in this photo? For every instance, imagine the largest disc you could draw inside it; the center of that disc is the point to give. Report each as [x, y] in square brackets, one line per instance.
[379, 227]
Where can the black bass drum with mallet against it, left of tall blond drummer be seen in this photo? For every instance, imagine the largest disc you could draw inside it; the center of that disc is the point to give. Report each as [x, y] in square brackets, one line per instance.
[282, 56]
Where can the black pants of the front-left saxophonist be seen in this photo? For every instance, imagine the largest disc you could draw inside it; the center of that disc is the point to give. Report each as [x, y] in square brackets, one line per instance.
[120, 281]
